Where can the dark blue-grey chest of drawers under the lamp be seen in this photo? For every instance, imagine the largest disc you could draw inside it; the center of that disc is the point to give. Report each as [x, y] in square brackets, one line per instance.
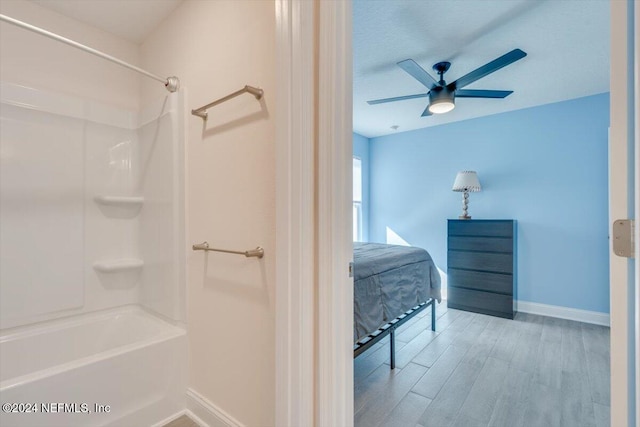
[482, 266]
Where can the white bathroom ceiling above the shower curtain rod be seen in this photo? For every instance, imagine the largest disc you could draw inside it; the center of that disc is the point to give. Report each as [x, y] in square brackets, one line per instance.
[132, 20]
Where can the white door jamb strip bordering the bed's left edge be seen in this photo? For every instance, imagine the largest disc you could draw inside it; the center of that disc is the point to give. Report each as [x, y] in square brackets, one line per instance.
[335, 202]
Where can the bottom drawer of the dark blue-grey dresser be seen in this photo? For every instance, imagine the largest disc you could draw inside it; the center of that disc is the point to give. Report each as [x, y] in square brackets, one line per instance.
[480, 302]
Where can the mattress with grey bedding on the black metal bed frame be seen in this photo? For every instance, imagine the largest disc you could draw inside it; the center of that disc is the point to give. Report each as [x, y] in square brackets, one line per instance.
[389, 280]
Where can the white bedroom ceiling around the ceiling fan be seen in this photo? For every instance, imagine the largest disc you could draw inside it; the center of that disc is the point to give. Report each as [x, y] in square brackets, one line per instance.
[567, 43]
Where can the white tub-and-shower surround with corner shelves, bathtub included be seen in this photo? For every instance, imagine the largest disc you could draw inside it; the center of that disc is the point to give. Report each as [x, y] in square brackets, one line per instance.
[91, 257]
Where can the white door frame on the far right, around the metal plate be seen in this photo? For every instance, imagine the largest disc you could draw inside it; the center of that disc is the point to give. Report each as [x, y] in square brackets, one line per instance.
[624, 329]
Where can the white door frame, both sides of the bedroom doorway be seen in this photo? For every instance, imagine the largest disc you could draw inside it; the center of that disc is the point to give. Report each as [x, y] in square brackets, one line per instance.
[313, 358]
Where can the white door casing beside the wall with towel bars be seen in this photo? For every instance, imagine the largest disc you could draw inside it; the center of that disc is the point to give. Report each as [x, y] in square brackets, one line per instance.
[295, 227]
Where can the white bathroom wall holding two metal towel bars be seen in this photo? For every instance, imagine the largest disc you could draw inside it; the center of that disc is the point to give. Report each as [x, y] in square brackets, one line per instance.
[215, 48]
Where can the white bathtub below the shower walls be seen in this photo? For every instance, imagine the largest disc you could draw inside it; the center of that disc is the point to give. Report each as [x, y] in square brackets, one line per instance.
[121, 367]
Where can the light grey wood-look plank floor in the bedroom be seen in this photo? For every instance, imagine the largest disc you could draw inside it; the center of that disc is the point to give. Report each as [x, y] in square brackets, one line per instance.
[484, 371]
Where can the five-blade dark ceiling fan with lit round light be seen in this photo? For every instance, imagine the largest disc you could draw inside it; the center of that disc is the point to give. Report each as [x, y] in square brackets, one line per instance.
[442, 95]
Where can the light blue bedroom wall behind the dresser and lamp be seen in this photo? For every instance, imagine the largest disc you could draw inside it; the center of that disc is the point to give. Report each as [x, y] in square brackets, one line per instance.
[544, 166]
